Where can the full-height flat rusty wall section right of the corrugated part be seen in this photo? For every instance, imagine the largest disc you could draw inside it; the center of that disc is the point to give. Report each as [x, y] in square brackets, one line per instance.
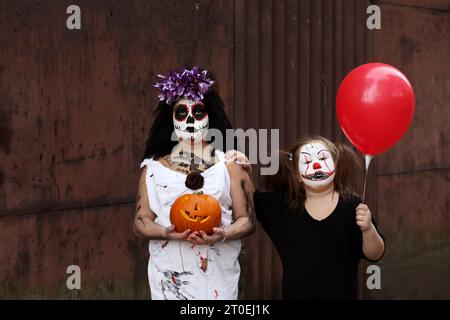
[413, 178]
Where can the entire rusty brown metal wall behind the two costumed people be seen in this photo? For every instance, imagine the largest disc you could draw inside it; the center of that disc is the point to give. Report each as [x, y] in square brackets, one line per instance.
[75, 109]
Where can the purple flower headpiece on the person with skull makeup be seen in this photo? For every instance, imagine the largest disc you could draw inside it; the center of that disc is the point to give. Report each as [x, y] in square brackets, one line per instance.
[190, 84]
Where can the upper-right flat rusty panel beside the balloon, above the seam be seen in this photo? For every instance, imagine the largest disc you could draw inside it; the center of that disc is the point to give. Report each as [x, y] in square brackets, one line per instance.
[420, 51]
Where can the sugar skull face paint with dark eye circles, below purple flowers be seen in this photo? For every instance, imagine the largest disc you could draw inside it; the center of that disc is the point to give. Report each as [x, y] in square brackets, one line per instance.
[190, 120]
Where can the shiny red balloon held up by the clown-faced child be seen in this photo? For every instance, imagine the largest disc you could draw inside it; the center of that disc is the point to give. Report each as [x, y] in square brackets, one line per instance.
[375, 107]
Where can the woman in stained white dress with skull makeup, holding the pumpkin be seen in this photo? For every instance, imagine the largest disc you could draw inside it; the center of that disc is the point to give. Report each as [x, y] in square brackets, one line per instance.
[191, 265]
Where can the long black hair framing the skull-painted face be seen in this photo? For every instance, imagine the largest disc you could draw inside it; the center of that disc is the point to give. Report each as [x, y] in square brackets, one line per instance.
[159, 141]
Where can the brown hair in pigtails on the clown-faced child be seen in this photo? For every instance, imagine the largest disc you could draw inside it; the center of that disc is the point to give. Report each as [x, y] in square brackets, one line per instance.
[347, 180]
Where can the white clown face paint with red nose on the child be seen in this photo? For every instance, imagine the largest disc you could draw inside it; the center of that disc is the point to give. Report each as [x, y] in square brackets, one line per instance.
[316, 166]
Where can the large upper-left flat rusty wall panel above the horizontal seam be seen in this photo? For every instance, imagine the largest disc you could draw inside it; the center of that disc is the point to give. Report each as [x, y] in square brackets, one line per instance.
[75, 94]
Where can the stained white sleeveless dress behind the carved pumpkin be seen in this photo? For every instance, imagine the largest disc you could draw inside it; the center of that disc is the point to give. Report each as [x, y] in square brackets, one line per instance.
[174, 269]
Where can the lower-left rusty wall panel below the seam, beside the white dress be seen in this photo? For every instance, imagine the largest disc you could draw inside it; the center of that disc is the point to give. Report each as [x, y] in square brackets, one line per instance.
[99, 240]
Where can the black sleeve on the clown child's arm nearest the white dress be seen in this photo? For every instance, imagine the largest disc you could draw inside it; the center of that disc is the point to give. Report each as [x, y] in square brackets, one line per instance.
[270, 213]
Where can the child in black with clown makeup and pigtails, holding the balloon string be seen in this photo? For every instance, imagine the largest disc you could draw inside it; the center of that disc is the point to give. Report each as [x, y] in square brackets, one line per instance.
[316, 220]
